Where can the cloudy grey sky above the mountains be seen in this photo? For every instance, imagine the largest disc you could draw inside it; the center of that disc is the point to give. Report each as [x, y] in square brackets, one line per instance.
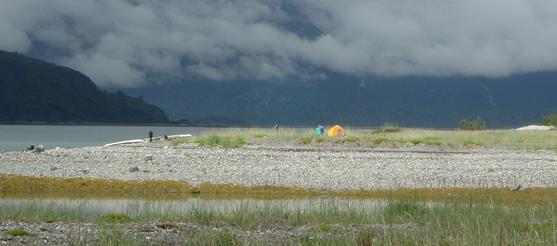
[126, 43]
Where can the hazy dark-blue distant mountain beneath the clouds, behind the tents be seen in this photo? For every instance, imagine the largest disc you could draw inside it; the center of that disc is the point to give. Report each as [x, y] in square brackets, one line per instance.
[438, 102]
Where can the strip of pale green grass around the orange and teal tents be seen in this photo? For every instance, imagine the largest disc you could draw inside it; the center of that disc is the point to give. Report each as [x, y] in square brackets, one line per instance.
[388, 136]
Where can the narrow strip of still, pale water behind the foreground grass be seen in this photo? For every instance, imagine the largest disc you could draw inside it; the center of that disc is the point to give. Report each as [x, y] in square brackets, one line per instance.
[139, 206]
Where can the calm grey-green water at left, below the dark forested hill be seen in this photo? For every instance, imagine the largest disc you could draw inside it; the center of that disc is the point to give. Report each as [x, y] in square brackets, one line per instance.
[19, 137]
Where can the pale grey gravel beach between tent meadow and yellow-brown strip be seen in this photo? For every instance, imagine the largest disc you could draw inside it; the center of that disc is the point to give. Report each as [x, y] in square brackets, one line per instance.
[321, 168]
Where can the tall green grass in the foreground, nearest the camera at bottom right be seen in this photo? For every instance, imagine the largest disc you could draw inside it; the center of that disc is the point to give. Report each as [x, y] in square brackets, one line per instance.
[396, 223]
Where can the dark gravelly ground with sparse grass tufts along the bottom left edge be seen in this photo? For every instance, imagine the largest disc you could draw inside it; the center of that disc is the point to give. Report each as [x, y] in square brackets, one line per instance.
[63, 233]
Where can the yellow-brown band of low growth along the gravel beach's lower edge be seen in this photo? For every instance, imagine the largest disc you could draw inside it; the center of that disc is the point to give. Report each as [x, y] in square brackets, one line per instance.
[15, 186]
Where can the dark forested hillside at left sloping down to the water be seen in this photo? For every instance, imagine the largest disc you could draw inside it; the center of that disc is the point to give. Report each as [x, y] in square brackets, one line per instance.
[37, 91]
